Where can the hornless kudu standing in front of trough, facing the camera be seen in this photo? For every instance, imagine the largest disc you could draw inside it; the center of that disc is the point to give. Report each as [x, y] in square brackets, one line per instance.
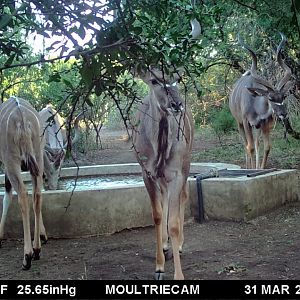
[163, 142]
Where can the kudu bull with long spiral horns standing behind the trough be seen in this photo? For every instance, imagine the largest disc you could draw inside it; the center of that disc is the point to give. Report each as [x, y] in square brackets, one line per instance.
[255, 103]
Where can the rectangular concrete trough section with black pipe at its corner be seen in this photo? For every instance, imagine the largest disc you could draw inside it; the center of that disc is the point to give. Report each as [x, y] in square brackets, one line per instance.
[241, 195]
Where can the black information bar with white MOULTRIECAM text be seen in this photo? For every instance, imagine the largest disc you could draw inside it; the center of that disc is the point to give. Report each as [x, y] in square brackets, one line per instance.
[198, 289]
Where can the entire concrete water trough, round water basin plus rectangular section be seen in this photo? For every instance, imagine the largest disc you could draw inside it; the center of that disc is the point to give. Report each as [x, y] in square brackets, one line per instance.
[101, 208]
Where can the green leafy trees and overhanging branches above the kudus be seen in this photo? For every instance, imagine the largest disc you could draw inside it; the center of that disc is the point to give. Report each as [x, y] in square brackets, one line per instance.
[80, 53]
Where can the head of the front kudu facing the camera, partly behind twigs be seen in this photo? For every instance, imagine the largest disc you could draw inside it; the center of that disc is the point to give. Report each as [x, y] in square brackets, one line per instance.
[165, 90]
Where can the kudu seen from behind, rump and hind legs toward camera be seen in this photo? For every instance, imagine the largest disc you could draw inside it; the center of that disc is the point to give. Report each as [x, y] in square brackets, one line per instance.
[21, 146]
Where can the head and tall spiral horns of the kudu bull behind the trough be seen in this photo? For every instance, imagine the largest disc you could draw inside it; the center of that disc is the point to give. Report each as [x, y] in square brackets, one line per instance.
[275, 95]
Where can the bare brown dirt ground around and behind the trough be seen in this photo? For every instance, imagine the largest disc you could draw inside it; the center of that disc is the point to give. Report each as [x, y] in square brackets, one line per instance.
[264, 248]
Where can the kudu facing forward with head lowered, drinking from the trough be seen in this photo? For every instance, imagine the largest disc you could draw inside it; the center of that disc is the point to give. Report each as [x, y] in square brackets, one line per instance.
[56, 137]
